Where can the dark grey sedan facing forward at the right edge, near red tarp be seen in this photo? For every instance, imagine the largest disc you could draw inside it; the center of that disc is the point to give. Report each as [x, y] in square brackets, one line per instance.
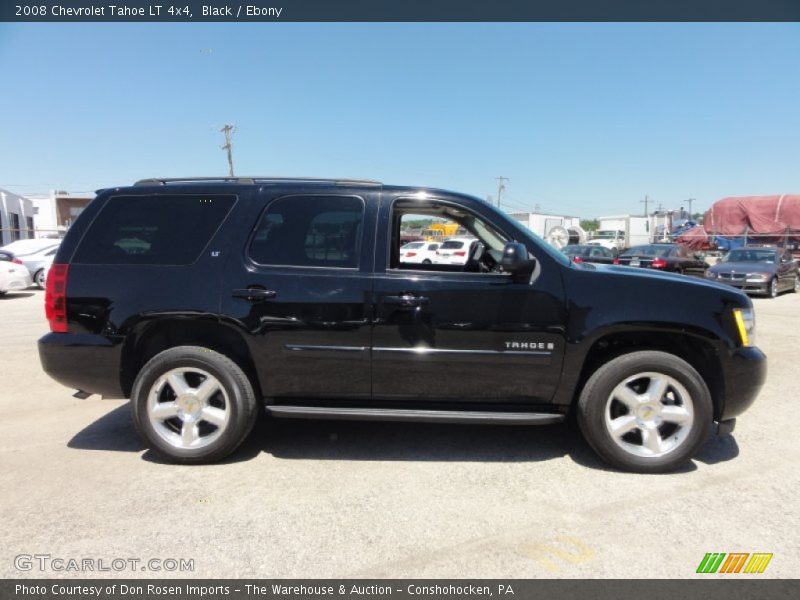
[761, 270]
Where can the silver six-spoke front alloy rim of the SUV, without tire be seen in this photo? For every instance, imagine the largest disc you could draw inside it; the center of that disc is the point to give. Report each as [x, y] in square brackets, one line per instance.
[649, 414]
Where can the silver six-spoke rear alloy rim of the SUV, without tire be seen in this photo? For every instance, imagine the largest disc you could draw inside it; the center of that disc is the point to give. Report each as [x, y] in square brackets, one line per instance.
[188, 408]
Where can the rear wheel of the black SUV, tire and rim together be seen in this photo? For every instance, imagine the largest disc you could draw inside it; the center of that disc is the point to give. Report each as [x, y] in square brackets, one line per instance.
[193, 405]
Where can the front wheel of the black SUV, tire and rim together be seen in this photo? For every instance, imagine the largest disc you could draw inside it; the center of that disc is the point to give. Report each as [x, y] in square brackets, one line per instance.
[646, 411]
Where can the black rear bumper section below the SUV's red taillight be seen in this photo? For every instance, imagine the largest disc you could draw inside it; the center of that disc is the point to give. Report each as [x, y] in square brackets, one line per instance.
[83, 361]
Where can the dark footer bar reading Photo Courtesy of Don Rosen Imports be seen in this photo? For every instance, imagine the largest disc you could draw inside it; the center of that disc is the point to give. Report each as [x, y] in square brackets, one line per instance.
[729, 588]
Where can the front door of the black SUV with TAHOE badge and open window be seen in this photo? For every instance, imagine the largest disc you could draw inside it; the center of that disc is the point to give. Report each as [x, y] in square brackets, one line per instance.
[461, 332]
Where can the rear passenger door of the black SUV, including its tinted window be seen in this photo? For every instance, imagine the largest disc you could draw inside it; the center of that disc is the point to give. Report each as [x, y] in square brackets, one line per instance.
[300, 285]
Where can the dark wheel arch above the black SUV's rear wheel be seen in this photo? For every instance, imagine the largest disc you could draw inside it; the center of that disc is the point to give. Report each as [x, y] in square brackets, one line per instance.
[155, 335]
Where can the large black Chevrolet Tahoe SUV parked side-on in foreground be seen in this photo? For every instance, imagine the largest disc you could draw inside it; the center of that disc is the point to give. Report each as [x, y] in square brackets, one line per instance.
[204, 299]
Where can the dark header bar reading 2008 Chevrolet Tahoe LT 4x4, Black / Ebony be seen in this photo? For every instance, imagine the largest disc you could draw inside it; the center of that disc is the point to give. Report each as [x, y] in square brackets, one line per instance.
[398, 10]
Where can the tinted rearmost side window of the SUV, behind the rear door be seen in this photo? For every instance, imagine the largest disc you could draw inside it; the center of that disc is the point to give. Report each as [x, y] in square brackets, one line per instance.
[153, 230]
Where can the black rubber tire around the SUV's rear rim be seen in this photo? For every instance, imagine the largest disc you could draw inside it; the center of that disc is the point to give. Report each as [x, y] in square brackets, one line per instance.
[240, 400]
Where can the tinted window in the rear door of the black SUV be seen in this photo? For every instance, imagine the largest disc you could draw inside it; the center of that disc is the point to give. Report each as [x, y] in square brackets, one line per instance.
[310, 231]
